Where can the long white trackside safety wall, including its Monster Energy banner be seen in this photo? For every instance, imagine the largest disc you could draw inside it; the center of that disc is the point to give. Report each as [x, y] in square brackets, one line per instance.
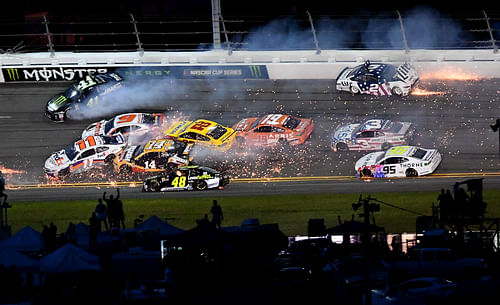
[216, 64]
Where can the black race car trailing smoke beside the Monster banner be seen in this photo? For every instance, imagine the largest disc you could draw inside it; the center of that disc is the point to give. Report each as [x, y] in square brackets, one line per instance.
[88, 91]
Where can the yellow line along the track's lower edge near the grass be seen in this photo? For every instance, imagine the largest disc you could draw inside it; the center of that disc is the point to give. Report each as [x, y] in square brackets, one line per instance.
[247, 180]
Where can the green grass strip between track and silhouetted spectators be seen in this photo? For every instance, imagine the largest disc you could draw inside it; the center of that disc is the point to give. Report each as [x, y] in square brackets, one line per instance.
[291, 212]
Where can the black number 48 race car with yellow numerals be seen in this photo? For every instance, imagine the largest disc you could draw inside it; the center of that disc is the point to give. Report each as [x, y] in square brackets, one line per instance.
[192, 177]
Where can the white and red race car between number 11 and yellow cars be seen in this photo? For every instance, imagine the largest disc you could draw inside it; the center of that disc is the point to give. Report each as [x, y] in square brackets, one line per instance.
[137, 124]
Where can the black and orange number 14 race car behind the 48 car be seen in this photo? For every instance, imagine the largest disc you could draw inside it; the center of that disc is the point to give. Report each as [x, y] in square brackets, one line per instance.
[155, 156]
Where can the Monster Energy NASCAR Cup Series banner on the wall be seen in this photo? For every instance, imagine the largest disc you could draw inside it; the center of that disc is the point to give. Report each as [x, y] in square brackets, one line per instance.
[74, 73]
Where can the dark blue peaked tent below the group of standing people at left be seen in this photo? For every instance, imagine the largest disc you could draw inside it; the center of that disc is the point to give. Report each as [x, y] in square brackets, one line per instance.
[69, 259]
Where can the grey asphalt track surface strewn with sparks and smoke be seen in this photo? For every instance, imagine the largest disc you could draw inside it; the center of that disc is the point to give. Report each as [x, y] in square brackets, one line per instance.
[455, 119]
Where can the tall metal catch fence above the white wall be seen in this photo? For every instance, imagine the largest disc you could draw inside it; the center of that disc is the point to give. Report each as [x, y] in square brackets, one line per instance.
[301, 31]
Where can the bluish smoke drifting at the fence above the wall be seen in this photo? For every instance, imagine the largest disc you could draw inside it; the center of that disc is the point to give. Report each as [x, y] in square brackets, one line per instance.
[425, 27]
